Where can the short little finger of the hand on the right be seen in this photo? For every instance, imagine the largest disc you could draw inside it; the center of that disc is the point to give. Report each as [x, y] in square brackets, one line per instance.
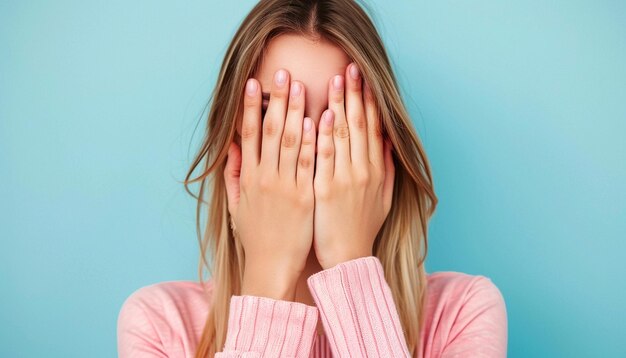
[325, 162]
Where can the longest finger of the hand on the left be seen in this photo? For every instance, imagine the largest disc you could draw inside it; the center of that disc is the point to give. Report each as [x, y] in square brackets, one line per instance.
[274, 120]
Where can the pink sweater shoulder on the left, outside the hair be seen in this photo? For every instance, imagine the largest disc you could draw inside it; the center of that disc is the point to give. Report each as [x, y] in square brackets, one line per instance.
[163, 312]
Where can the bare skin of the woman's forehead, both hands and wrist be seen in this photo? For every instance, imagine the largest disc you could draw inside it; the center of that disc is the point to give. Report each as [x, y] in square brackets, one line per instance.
[352, 179]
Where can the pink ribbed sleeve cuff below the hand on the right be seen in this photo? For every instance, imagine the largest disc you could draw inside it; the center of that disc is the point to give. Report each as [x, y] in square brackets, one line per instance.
[357, 310]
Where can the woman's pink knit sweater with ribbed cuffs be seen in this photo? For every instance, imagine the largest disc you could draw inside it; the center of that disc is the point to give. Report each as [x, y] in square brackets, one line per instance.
[465, 317]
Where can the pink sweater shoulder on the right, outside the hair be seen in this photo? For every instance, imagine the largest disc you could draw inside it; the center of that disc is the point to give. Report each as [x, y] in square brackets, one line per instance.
[464, 314]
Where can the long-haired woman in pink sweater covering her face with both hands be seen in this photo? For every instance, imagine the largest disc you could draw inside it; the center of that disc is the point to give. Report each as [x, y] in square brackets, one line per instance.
[317, 224]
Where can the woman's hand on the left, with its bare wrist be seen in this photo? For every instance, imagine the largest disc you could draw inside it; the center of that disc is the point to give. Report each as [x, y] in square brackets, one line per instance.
[269, 182]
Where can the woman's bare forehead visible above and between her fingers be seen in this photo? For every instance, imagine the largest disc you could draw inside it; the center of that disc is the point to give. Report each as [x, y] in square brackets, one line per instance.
[312, 63]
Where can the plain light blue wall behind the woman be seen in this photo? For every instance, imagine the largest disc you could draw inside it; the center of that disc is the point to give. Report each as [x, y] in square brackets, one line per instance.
[521, 106]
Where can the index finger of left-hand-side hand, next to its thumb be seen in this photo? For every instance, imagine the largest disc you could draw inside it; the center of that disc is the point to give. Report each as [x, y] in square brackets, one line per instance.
[251, 126]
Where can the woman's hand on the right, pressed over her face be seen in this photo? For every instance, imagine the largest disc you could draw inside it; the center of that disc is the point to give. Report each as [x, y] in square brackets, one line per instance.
[354, 173]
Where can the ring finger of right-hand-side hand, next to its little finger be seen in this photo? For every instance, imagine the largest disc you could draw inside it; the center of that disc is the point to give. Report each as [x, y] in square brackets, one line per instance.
[341, 133]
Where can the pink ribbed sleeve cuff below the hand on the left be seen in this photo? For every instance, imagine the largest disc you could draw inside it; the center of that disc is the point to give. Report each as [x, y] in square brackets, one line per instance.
[265, 327]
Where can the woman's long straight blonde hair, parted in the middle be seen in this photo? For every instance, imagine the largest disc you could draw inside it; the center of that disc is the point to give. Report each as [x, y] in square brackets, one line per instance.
[401, 244]
